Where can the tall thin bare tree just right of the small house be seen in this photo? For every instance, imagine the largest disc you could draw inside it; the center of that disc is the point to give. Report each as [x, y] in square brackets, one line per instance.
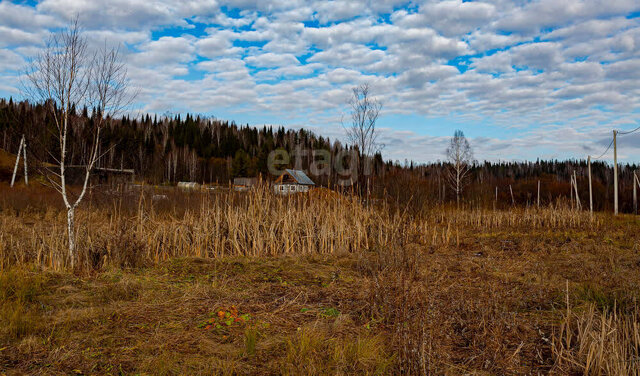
[362, 132]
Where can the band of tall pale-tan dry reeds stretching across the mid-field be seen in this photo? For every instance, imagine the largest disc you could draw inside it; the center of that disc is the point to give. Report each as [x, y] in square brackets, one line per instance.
[137, 228]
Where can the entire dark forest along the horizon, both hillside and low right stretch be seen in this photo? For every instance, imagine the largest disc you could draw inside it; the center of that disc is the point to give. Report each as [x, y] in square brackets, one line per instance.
[168, 149]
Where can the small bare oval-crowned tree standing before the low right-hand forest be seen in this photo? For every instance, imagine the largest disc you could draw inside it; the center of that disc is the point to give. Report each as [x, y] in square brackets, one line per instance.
[460, 157]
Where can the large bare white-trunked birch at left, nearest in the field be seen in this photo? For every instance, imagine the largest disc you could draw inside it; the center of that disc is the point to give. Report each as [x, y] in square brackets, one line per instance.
[66, 76]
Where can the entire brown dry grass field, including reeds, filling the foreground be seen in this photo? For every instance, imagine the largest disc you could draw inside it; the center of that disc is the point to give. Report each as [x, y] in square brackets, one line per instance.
[252, 284]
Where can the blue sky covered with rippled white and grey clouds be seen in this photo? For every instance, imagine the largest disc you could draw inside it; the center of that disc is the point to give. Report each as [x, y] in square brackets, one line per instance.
[522, 79]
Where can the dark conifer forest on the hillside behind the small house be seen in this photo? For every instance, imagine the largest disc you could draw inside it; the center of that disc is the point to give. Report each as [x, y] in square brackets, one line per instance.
[167, 149]
